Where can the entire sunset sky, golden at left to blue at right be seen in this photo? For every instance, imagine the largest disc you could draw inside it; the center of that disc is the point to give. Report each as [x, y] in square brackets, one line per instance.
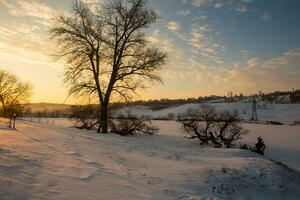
[213, 46]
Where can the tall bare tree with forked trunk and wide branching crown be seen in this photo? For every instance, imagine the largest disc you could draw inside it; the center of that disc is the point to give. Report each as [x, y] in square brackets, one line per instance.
[106, 52]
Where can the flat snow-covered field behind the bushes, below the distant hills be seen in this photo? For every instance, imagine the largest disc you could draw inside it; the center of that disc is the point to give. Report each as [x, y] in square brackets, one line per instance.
[282, 141]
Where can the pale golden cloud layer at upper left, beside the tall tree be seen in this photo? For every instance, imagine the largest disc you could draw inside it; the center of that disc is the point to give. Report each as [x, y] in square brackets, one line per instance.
[27, 40]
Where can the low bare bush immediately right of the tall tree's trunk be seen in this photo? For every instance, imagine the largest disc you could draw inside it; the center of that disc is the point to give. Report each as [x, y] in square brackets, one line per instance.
[132, 126]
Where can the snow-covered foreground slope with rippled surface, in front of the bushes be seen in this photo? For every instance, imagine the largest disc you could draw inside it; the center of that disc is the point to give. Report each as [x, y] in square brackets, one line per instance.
[58, 162]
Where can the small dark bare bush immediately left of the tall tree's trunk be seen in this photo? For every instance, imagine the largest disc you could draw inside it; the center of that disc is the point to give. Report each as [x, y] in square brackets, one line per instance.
[85, 116]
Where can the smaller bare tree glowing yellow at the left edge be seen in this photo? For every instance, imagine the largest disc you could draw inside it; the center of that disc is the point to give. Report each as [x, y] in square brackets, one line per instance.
[13, 93]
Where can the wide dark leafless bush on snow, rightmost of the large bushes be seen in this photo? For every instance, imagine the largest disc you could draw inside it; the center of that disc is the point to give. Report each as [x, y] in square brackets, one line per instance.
[220, 129]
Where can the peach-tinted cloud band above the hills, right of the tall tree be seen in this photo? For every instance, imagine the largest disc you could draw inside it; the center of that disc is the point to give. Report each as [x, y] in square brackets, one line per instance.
[248, 77]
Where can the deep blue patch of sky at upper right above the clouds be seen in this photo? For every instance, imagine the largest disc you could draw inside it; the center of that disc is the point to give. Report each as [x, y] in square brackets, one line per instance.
[266, 28]
